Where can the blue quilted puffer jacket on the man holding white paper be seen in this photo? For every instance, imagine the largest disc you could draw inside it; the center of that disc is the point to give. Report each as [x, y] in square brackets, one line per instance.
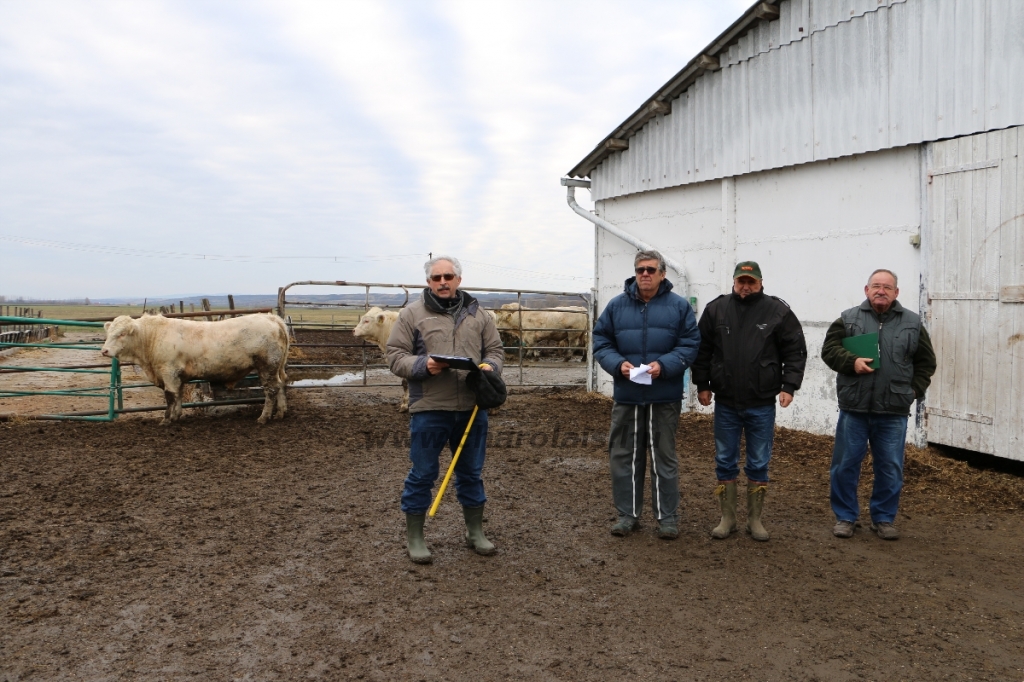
[664, 329]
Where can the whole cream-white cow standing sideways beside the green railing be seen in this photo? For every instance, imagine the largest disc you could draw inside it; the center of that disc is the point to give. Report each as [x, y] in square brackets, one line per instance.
[173, 353]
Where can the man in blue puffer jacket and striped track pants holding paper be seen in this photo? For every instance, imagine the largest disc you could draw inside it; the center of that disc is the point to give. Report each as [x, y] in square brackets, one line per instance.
[647, 325]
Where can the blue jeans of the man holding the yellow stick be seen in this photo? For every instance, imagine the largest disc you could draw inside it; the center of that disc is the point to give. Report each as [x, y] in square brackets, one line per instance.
[430, 433]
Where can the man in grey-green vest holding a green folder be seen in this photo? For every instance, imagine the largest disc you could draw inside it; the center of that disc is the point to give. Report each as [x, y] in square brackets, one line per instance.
[875, 404]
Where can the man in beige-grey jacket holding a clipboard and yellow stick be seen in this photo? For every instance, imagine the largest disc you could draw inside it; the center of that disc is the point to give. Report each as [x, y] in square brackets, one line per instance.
[445, 322]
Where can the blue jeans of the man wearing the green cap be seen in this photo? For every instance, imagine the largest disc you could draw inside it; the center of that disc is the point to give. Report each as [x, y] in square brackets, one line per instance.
[730, 424]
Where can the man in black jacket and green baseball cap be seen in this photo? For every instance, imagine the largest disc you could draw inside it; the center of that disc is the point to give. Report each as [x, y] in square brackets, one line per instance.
[752, 351]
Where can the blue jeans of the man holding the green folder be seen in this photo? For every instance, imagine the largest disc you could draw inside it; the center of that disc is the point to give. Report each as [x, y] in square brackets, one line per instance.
[887, 434]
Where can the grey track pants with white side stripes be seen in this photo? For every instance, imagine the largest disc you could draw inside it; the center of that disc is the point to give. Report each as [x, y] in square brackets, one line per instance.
[637, 431]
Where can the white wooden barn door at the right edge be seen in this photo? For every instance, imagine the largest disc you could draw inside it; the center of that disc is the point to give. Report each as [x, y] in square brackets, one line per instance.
[974, 278]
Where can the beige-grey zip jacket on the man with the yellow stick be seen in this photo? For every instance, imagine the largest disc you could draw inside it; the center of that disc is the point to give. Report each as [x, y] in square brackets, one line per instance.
[422, 331]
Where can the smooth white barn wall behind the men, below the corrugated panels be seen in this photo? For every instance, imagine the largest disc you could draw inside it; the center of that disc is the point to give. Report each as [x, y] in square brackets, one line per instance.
[818, 231]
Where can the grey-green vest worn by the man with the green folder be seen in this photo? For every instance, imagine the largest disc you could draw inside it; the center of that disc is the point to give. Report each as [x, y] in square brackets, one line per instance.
[888, 390]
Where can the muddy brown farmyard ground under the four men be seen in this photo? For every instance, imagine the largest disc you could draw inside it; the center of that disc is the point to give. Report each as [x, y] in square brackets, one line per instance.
[220, 550]
